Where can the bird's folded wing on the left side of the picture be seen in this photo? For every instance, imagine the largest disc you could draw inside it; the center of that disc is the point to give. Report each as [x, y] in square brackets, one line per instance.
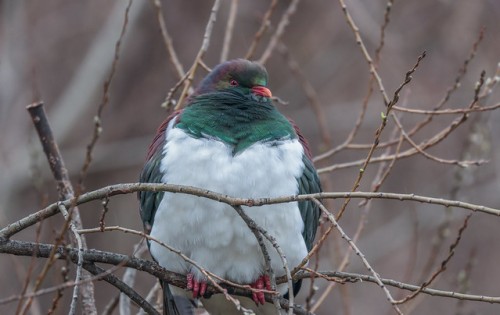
[151, 173]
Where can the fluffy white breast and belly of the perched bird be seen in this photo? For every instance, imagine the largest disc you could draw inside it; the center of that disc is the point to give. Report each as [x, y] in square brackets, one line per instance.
[212, 233]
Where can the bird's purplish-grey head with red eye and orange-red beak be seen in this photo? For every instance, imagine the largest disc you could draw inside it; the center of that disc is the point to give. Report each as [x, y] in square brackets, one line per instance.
[240, 75]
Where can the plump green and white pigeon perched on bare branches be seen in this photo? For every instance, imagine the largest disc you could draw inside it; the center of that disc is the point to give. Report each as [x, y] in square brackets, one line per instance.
[230, 139]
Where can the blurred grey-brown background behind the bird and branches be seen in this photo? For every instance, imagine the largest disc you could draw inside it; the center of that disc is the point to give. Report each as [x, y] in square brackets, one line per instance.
[61, 52]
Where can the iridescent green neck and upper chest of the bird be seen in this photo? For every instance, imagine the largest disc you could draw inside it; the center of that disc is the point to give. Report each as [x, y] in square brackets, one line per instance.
[237, 121]
